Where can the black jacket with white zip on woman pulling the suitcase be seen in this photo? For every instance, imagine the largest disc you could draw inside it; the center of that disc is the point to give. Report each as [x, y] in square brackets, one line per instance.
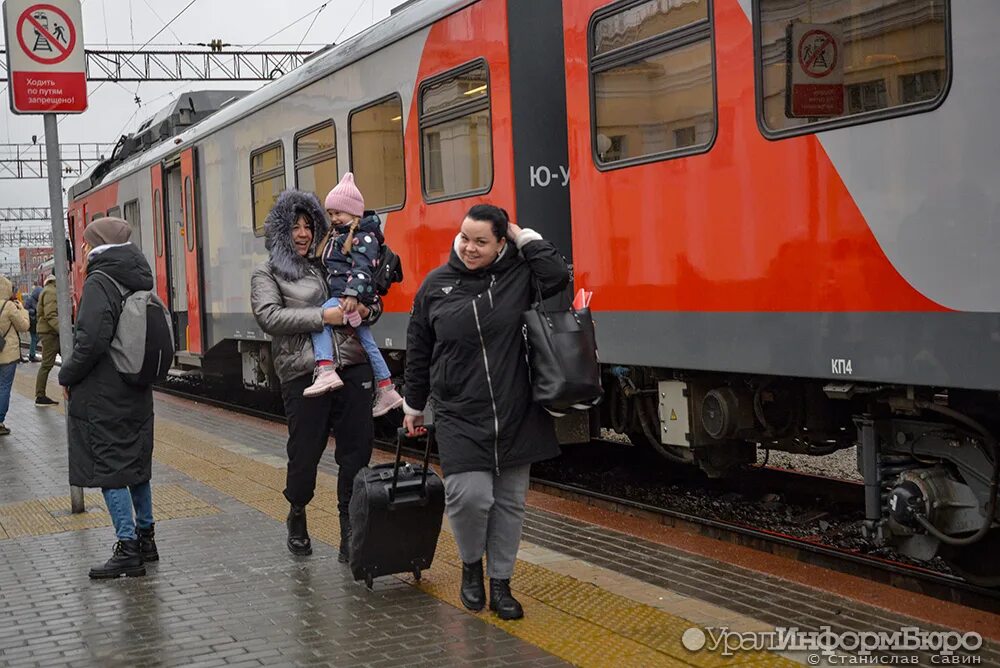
[465, 353]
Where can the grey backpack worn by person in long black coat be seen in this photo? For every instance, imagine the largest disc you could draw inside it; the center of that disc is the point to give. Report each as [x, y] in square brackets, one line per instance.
[142, 349]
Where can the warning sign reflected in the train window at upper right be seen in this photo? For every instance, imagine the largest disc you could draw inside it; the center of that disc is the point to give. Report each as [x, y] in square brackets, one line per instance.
[816, 70]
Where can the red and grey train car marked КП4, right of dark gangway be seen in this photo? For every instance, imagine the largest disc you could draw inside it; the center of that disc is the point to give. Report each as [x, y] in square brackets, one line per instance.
[784, 210]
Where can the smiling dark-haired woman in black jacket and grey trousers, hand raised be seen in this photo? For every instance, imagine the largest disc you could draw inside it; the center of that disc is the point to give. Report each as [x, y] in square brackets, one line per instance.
[465, 353]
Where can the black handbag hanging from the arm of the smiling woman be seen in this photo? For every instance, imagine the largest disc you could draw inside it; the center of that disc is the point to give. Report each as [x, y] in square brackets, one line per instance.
[562, 358]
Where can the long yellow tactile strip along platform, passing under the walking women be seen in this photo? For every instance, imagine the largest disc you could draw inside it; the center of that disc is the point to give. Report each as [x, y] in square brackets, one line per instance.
[574, 620]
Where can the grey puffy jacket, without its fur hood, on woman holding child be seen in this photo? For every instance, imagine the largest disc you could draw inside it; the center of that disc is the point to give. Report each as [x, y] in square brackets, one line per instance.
[289, 311]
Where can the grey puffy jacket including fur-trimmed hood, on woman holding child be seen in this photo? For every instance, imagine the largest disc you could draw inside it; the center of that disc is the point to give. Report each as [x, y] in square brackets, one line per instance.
[288, 290]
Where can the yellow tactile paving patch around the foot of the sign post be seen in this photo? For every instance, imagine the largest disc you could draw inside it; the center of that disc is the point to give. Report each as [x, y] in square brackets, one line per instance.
[40, 517]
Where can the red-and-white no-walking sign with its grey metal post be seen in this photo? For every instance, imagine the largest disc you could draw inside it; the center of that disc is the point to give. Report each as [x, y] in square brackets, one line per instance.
[46, 67]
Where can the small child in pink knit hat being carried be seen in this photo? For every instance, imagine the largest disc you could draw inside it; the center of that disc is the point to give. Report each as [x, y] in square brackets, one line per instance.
[350, 253]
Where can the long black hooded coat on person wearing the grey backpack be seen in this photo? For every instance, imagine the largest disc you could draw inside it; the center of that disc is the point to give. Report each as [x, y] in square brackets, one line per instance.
[110, 421]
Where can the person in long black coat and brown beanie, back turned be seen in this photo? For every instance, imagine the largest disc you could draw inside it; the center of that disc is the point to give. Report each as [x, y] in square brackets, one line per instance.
[111, 421]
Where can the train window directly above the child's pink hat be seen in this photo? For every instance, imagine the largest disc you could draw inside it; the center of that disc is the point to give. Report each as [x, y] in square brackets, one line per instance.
[376, 149]
